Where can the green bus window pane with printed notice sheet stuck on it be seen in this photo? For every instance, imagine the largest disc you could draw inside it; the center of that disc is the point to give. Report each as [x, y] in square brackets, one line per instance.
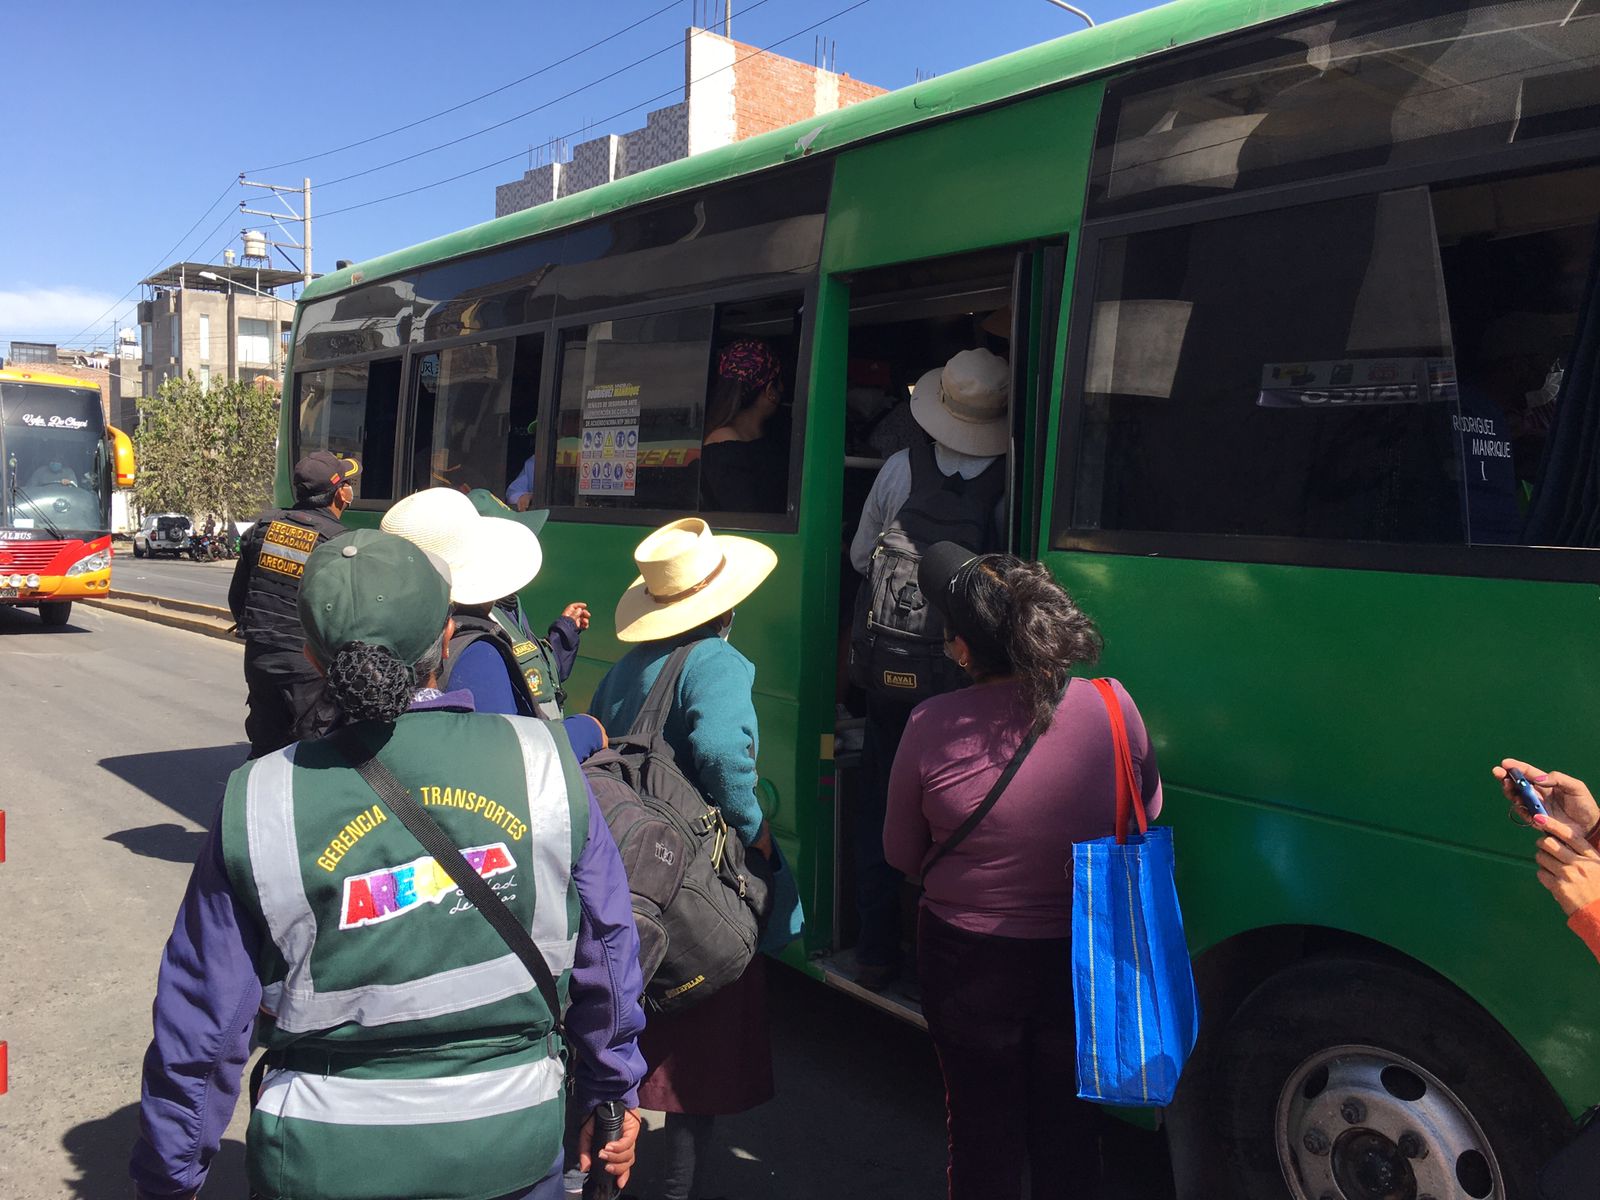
[631, 412]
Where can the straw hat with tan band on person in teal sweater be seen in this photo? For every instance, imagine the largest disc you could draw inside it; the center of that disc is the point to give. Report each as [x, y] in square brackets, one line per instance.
[689, 575]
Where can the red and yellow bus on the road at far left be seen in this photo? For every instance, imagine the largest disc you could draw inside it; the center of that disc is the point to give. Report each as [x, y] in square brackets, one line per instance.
[60, 463]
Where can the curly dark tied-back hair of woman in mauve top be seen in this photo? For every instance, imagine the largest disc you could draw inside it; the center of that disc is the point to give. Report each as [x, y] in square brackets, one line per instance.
[1018, 622]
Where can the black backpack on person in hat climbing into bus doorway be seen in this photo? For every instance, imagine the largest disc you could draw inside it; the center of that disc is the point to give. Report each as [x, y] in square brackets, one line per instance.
[897, 639]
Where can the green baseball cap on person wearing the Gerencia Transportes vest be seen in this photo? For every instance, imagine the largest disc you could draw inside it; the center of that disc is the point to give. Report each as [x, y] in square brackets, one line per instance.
[375, 588]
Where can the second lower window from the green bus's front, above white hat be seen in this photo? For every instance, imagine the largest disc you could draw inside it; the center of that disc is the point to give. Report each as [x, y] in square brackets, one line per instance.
[473, 409]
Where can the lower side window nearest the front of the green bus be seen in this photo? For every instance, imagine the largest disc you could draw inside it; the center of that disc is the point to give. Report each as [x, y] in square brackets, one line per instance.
[353, 410]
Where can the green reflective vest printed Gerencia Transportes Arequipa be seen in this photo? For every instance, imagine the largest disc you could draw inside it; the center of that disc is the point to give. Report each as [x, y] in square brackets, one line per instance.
[409, 1052]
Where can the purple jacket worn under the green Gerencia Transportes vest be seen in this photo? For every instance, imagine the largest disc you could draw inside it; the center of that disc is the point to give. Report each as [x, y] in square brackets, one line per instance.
[209, 994]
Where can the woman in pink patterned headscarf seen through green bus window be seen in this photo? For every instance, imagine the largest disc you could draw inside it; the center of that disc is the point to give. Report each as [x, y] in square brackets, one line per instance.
[742, 468]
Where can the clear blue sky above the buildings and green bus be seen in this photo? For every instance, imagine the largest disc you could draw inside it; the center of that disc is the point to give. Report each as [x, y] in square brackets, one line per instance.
[110, 166]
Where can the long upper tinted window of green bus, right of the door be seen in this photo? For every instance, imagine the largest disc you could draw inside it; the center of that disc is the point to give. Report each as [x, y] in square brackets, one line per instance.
[1410, 82]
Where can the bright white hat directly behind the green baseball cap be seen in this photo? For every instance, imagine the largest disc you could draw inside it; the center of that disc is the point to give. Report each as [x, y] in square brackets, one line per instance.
[489, 558]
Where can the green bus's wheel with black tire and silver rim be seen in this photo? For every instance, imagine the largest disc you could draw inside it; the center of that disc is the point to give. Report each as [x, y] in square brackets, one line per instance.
[1353, 1078]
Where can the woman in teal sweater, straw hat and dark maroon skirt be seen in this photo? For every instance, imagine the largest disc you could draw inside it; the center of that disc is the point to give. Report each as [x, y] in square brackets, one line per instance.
[716, 1058]
